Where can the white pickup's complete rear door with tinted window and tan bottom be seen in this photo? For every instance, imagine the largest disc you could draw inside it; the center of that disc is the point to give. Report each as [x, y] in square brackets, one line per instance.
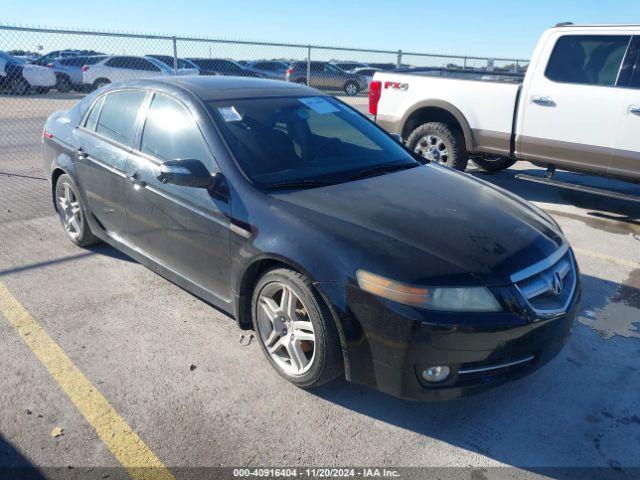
[571, 108]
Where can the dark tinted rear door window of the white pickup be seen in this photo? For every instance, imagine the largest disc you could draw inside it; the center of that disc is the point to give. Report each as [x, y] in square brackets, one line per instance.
[587, 59]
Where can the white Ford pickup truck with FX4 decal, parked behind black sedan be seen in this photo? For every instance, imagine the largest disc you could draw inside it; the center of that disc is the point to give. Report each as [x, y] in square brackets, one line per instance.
[577, 108]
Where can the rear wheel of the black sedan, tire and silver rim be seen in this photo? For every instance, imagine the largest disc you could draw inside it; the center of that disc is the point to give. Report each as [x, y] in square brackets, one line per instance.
[66, 194]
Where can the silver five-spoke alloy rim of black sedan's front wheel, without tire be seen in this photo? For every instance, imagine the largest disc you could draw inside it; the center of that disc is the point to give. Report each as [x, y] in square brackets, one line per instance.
[285, 329]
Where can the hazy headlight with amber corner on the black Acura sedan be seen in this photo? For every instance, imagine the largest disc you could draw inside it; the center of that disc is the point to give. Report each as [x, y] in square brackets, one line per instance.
[452, 299]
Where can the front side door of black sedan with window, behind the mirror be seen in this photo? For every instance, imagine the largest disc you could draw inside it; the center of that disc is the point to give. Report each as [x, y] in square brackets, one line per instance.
[184, 229]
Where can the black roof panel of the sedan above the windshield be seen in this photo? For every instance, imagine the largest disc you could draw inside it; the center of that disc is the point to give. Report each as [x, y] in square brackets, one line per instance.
[222, 87]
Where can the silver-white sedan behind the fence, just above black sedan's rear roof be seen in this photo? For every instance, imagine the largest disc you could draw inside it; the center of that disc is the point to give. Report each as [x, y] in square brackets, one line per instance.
[122, 67]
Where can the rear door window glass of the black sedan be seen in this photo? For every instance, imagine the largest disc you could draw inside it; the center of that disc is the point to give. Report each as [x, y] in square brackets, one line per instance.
[118, 116]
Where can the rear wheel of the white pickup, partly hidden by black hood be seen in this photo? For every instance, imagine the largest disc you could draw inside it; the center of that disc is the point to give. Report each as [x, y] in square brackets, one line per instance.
[440, 142]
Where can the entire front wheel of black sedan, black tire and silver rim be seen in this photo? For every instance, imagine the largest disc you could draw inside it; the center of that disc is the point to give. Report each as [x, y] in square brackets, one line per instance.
[305, 363]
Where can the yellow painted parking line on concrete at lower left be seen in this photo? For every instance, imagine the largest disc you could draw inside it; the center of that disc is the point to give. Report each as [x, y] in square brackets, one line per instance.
[125, 444]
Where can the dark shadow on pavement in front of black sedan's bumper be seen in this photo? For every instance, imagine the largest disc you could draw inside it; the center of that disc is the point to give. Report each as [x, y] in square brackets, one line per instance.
[580, 410]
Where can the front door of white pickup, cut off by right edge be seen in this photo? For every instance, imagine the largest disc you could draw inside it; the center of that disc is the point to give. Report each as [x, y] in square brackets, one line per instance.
[625, 160]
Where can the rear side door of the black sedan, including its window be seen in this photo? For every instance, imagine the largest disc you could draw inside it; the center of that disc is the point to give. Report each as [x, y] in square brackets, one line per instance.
[104, 145]
